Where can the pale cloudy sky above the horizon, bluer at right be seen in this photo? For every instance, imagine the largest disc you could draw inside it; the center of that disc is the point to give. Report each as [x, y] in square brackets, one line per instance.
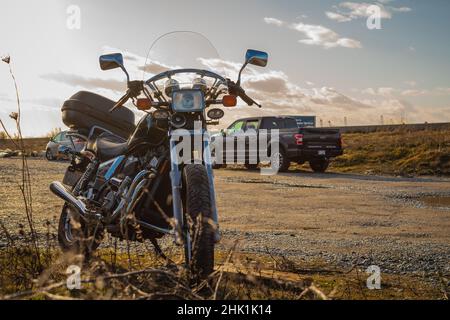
[324, 60]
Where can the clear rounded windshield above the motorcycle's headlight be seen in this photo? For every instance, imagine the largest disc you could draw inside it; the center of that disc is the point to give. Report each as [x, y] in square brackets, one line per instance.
[181, 50]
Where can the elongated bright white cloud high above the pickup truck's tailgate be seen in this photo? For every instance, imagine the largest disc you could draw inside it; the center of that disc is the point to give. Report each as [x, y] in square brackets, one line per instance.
[318, 35]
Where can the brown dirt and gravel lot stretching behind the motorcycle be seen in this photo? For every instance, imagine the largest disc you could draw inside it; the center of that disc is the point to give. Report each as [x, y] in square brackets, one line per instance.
[399, 224]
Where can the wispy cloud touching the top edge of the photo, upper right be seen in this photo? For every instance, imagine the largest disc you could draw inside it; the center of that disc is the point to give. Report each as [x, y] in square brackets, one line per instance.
[348, 11]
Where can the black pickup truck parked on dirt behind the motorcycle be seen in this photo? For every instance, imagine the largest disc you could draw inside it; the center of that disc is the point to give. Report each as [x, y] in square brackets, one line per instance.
[314, 145]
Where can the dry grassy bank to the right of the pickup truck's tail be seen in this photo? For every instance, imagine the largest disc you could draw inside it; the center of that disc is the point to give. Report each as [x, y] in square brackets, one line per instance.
[396, 153]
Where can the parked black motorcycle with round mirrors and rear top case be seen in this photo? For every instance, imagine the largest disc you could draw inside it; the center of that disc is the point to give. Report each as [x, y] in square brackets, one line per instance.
[142, 188]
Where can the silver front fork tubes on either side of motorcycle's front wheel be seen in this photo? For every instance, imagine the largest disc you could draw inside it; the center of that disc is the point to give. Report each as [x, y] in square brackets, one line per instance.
[176, 179]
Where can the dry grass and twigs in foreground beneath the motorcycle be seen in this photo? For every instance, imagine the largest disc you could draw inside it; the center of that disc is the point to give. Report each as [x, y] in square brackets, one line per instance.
[113, 274]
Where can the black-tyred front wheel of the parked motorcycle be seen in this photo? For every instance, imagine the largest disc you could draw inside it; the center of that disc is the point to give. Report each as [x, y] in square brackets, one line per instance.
[199, 225]
